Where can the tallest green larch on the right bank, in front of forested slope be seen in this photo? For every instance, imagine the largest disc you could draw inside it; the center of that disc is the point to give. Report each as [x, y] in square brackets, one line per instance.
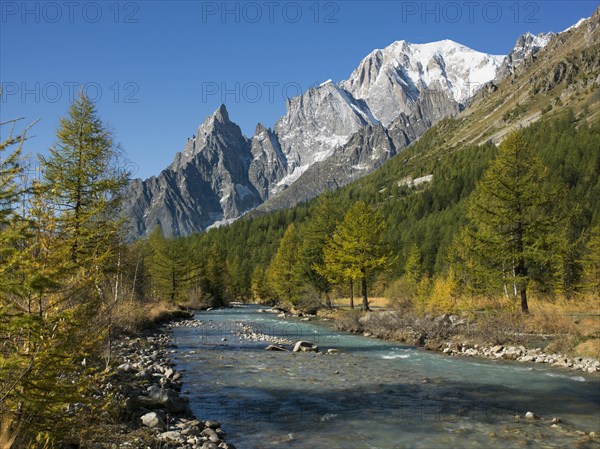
[510, 230]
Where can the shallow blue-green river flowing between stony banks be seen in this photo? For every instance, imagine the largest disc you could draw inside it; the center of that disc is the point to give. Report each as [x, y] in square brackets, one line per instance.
[373, 394]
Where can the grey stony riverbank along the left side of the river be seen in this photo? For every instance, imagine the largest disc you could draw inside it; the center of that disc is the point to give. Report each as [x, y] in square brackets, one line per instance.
[147, 387]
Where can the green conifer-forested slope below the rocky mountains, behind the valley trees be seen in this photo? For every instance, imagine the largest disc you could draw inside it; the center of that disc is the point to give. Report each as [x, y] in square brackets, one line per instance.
[426, 215]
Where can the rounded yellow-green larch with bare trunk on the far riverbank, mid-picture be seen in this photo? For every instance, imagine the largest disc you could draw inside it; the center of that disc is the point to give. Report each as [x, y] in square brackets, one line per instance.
[356, 249]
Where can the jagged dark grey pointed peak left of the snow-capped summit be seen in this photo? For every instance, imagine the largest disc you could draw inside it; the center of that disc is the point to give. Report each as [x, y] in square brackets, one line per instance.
[206, 183]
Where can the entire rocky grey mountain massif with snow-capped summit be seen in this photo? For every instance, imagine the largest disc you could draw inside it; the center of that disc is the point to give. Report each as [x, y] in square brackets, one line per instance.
[329, 136]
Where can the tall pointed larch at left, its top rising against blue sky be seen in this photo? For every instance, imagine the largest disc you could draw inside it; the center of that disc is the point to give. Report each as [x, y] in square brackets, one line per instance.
[83, 180]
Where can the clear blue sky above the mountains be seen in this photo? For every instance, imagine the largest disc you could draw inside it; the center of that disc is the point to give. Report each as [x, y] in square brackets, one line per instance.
[158, 68]
